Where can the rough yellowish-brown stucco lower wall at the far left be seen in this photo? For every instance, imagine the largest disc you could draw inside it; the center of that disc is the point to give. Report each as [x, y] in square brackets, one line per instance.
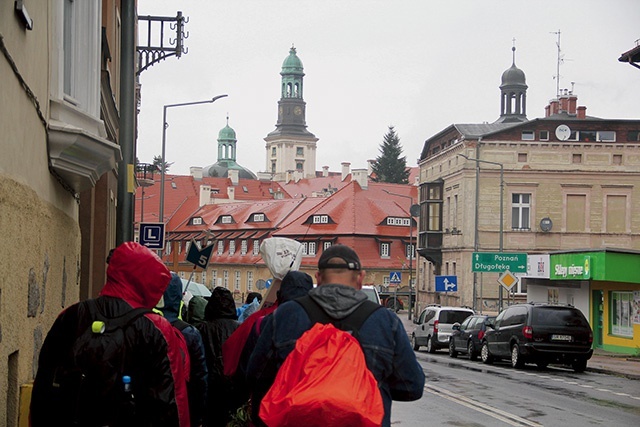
[39, 276]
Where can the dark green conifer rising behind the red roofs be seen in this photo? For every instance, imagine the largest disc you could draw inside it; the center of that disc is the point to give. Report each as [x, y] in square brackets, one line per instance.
[389, 166]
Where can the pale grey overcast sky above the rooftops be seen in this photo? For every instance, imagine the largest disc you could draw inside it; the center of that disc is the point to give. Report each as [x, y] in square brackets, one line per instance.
[417, 65]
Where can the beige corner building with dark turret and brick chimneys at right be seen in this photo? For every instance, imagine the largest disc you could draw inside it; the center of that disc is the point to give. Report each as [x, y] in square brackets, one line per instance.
[565, 181]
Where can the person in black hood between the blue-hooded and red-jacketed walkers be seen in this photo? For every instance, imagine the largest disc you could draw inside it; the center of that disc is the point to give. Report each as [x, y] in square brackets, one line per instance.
[220, 320]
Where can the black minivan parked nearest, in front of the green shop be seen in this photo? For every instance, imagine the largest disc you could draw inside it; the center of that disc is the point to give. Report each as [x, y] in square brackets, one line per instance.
[540, 334]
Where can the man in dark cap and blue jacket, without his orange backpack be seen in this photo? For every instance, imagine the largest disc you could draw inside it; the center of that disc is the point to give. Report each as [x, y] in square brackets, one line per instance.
[384, 341]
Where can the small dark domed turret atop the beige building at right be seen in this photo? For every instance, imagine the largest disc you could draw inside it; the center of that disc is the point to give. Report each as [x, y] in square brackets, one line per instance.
[513, 91]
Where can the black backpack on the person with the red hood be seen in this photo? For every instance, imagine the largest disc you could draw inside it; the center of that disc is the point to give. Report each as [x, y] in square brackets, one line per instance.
[88, 386]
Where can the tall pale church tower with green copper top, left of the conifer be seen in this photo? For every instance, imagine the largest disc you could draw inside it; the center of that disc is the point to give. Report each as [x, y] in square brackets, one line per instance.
[291, 148]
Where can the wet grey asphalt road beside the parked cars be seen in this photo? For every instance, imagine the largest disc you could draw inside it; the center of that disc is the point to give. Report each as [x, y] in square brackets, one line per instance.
[460, 392]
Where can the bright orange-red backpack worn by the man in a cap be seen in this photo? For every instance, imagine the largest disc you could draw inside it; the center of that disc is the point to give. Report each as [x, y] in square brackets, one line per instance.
[325, 381]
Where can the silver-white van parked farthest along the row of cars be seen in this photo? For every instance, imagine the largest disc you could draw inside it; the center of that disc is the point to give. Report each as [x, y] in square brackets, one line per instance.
[435, 325]
